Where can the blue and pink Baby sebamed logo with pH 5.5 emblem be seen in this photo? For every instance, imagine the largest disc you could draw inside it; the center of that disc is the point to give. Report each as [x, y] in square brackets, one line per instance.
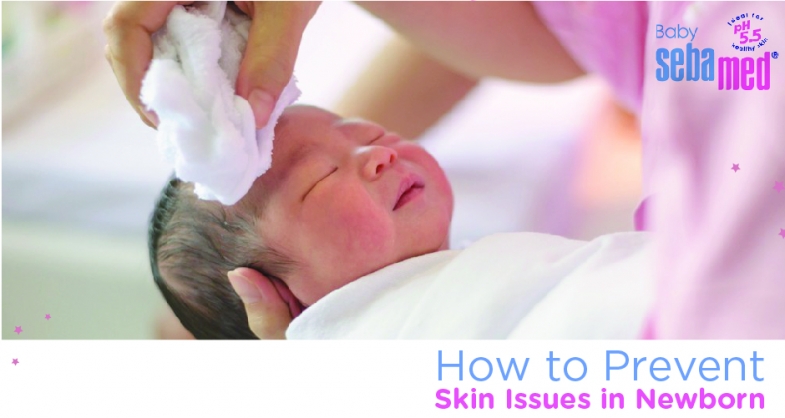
[749, 67]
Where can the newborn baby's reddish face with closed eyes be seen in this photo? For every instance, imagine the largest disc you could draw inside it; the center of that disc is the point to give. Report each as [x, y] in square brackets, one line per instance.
[345, 198]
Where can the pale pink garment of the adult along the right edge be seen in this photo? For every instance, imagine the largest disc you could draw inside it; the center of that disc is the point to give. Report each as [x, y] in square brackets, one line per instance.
[722, 263]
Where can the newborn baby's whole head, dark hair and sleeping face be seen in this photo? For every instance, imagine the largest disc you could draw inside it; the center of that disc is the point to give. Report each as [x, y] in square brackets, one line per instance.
[342, 199]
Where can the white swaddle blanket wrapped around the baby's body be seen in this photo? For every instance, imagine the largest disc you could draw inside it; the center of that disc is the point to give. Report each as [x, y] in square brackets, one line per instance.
[518, 286]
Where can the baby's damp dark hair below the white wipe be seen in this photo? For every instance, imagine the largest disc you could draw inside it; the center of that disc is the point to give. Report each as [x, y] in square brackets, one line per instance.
[193, 245]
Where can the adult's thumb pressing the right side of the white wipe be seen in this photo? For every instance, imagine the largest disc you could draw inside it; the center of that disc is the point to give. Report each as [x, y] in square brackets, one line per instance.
[273, 42]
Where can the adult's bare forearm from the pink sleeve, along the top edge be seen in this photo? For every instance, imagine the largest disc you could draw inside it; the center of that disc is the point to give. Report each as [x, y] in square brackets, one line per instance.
[481, 39]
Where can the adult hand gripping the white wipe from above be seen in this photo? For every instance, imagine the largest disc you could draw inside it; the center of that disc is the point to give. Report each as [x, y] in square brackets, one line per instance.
[267, 66]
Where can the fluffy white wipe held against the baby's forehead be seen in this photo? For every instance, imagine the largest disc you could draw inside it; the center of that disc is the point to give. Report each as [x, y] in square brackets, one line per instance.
[205, 129]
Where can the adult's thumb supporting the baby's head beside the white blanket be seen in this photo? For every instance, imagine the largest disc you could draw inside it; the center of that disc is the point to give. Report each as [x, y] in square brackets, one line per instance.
[269, 304]
